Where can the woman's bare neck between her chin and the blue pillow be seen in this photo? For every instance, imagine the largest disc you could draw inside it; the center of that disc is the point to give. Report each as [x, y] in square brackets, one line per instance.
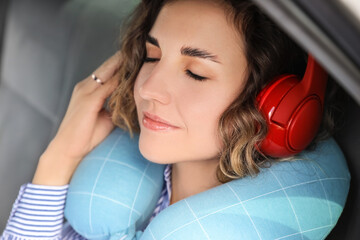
[189, 178]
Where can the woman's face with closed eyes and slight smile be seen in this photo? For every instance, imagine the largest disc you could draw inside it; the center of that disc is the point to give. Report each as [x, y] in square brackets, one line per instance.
[195, 68]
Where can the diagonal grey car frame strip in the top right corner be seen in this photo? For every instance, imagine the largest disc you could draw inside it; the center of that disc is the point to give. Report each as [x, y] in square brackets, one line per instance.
[327, 30]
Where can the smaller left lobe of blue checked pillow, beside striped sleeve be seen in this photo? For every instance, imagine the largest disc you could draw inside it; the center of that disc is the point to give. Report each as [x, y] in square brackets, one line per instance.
[114, 190]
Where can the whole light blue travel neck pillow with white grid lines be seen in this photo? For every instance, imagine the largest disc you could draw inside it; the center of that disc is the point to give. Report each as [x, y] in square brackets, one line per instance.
[115, 190]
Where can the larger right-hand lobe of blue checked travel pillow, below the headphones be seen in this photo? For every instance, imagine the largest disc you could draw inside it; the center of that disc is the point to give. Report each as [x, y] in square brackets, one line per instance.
[301, 199]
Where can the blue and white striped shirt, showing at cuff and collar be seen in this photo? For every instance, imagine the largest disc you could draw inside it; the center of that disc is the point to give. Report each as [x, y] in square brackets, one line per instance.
[38, 212]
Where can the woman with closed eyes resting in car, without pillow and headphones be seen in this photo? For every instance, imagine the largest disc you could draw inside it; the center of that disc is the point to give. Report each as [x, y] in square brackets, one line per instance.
[187, 78]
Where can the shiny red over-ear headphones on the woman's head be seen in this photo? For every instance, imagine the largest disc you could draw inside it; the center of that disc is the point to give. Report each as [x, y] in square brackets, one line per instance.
[293, 110]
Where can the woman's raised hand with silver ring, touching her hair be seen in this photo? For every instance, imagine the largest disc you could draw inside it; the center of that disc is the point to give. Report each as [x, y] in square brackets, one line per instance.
[85, 124]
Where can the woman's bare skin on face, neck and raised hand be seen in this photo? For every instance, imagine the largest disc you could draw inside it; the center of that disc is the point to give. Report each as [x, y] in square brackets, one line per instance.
[162, 88]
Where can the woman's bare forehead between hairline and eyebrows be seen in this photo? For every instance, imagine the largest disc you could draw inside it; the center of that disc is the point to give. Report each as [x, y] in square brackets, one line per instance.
[202, 23]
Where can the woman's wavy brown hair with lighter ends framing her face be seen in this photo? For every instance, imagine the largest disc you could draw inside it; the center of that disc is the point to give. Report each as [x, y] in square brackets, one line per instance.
[269, 52]
